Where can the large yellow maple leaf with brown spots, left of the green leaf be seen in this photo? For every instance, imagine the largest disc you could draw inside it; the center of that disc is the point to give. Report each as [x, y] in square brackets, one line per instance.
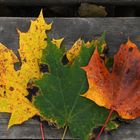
[13, 84]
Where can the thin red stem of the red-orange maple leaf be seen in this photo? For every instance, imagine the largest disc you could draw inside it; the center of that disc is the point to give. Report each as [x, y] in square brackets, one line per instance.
[108, 118]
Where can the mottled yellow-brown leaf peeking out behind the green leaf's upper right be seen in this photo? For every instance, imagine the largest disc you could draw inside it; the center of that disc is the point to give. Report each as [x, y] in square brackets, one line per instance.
[75, 49]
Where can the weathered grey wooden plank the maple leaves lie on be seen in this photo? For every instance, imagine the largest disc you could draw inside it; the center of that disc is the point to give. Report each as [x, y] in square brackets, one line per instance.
[117, 31]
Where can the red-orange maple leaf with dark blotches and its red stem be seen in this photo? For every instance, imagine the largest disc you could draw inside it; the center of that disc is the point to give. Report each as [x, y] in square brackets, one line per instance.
[118, 90]
